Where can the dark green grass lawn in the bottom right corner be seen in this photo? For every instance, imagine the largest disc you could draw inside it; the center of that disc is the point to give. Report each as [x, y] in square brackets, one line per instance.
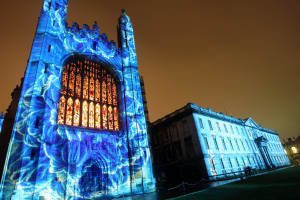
[282, 184]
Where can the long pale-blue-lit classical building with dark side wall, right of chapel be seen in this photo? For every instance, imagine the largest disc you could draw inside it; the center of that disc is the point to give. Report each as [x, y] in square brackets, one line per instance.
[194, 143]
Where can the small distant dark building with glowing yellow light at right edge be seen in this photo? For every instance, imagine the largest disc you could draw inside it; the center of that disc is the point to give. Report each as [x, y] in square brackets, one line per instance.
[292, 148]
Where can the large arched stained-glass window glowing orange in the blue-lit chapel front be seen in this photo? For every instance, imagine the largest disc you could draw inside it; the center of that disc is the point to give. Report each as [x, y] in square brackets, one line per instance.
[88, 96]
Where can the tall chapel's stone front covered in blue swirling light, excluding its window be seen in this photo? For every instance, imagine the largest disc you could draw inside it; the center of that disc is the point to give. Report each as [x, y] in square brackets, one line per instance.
[55, 161]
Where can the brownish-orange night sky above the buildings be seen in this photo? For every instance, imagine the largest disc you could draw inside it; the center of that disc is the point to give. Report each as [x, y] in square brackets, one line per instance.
[242, 56]
